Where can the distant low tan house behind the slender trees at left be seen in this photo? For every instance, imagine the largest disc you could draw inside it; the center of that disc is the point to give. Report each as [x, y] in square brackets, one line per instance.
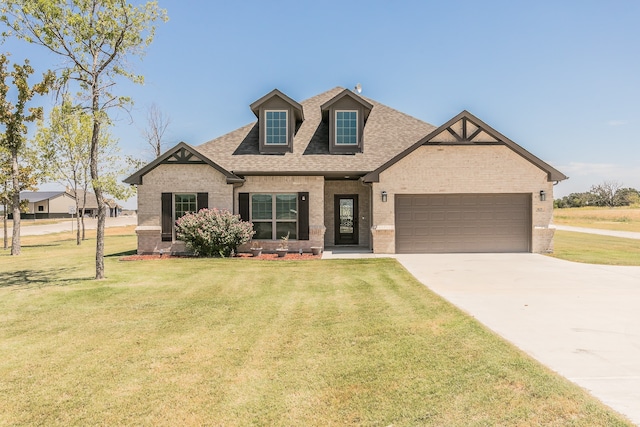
[61, 204]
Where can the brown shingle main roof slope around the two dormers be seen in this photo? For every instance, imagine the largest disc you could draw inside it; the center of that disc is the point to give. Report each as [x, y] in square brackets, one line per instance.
[386, 133]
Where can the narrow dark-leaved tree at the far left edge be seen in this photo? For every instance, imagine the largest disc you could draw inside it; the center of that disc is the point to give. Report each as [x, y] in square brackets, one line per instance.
[13, 117]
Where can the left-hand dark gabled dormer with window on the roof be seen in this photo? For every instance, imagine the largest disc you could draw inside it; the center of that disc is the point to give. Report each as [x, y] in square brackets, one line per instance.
[278, 117]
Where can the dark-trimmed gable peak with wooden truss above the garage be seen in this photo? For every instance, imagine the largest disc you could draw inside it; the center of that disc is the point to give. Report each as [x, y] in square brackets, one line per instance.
[466, 129]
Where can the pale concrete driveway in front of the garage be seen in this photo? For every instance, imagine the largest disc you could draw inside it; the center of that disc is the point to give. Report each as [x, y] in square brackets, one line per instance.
[581, 320]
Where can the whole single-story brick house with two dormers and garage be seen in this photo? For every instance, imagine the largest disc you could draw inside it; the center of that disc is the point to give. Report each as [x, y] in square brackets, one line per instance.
[341, 169]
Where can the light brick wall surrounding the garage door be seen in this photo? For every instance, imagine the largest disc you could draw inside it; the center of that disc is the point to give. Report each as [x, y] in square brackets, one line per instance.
[462, 169]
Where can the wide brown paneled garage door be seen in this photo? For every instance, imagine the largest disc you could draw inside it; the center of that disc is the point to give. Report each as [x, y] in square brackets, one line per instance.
[448, 223]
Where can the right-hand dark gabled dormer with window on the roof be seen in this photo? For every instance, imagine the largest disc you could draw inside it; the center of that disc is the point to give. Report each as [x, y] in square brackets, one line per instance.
[346, 114]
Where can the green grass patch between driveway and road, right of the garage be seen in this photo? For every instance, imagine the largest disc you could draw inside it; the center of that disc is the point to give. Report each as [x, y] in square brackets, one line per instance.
[596, 249]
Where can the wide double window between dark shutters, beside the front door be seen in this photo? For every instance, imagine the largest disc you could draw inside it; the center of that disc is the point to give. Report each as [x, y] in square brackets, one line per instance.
[274, 216]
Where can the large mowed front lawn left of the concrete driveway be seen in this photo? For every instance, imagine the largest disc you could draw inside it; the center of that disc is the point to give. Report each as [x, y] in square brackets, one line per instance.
[243, 342]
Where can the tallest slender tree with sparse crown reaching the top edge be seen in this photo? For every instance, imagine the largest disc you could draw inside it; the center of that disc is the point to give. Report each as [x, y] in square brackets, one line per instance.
[95, 37]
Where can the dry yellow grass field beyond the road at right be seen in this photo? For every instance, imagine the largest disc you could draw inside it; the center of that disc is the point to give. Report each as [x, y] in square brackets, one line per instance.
[621, 218]
